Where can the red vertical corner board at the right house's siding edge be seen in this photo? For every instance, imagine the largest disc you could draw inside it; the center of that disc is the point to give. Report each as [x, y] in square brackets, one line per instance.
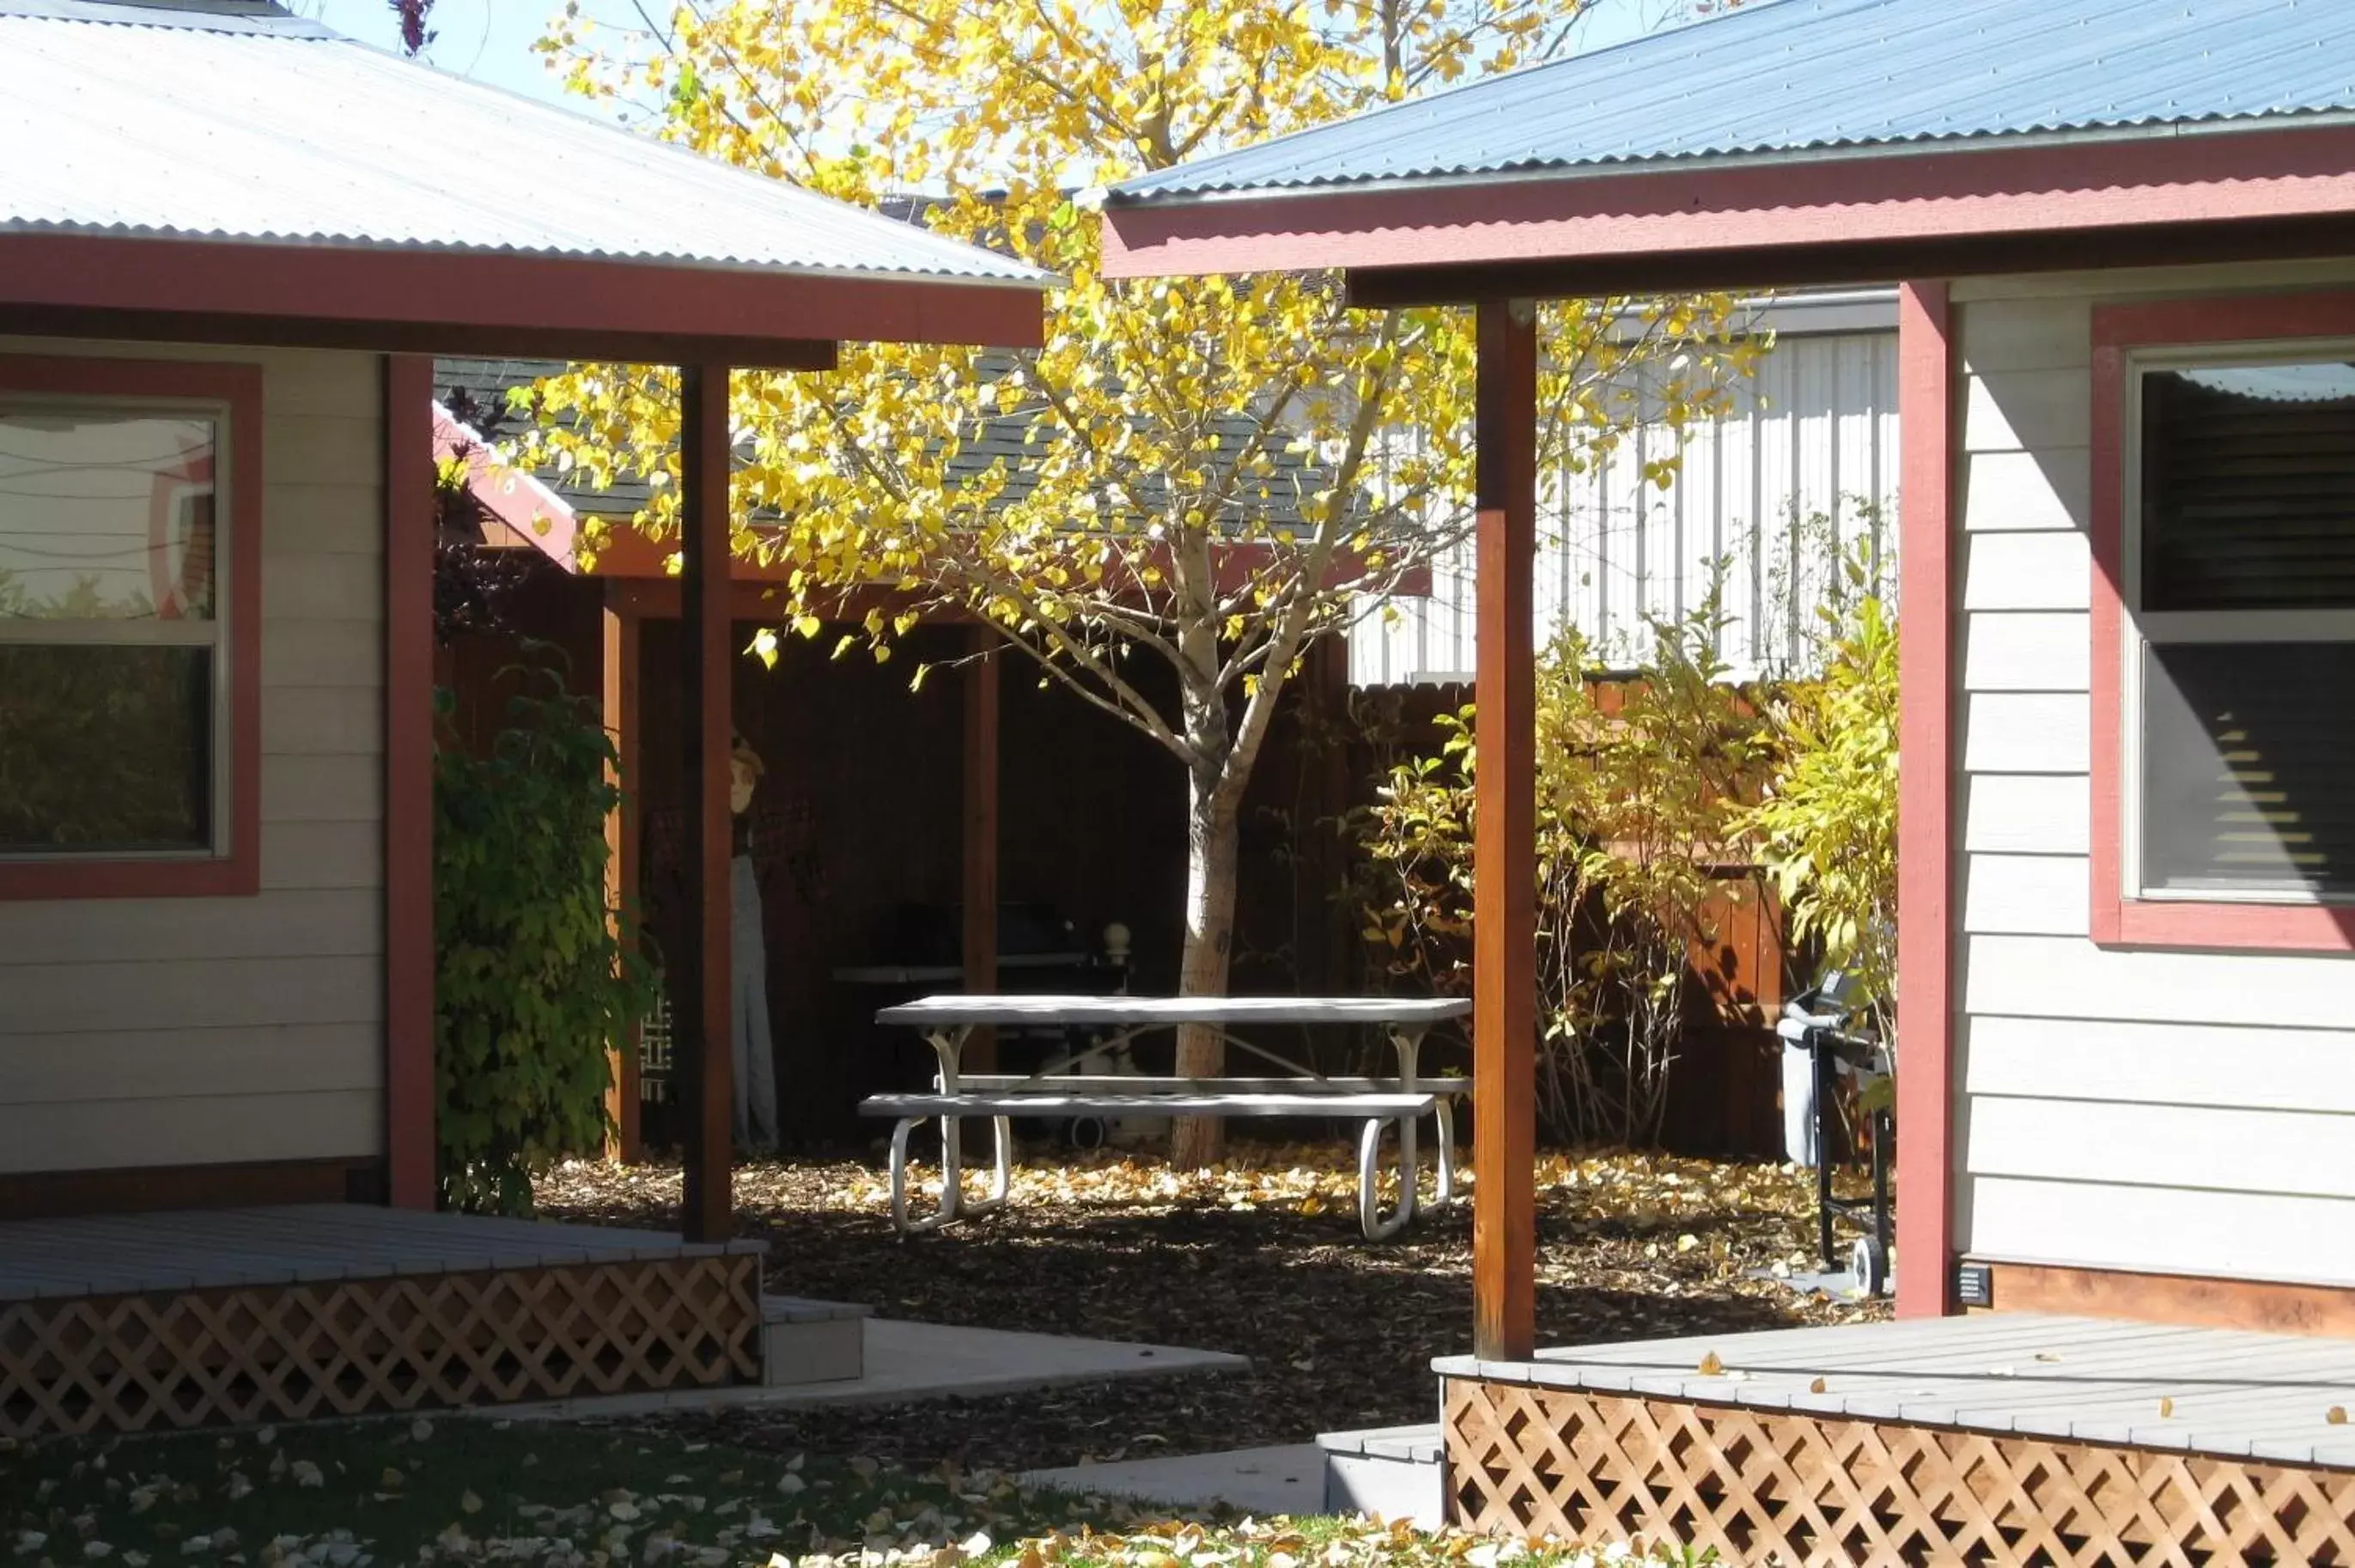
[1925, 804]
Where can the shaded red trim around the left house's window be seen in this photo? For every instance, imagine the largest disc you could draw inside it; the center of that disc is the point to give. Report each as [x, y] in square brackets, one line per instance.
[239, 387]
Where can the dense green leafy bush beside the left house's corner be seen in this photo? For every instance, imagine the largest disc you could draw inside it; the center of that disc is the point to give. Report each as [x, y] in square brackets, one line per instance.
[533, 985]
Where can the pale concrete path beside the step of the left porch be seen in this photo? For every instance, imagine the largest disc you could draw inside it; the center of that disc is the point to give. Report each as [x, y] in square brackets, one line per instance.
[927, 1362]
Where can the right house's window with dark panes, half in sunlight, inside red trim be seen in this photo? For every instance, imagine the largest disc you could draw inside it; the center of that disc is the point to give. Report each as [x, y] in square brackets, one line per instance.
[2245, 618]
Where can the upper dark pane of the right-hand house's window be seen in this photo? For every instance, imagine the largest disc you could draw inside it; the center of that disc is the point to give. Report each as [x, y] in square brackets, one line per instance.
[2250, 486]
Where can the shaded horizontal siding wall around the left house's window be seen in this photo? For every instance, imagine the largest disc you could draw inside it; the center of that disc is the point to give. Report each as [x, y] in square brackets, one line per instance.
[164, 1032]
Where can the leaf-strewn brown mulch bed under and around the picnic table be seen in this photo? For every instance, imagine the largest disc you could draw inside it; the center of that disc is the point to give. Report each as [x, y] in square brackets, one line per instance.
[1261, 1258]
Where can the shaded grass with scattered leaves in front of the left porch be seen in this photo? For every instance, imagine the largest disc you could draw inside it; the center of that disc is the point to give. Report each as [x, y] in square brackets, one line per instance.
[458, 1489]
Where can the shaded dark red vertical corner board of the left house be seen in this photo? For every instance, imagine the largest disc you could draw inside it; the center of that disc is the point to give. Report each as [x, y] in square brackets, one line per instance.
[409, 780]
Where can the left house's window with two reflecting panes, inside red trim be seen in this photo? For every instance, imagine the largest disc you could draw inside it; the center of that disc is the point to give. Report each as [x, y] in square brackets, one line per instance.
[112, 646]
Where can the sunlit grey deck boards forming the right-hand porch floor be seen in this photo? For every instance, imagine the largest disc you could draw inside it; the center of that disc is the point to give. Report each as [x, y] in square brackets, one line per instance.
[2095, 1381]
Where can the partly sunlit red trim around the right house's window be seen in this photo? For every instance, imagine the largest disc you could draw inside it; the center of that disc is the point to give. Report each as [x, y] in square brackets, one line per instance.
[2182, 924]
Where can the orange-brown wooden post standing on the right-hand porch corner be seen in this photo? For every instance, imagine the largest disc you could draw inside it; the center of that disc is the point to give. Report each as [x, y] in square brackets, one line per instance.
[1506, 842]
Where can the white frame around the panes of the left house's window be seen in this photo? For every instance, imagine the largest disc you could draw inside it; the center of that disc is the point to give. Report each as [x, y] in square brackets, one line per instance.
[157, 632]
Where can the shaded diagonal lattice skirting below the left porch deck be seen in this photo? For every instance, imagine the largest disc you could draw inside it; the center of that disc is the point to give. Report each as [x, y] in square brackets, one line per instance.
[361, 1346]
